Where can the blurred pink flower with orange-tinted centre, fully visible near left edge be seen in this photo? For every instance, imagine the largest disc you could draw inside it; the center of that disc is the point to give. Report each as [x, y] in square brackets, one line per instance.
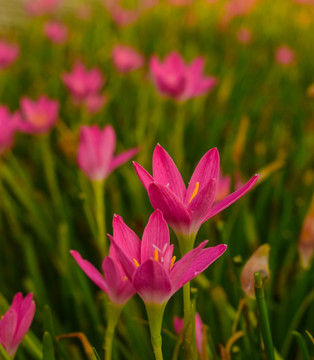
[38, 116]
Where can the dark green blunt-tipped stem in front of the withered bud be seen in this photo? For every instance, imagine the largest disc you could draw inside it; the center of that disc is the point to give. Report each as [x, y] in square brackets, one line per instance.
[262, 309]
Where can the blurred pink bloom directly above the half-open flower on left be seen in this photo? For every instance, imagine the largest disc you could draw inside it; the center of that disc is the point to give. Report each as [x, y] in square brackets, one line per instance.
[84, 86]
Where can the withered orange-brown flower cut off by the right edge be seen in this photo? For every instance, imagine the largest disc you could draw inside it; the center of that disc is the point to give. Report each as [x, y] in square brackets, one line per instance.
[306, 239]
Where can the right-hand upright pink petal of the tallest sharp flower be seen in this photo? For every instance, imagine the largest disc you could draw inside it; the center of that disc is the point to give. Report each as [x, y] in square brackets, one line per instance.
[206, 169]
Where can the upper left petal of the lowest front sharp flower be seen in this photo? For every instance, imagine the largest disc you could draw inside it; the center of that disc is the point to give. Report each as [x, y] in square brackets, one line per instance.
[126, 238]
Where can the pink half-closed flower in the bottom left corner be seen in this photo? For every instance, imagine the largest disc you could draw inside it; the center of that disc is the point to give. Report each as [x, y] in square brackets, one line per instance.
[16, 322]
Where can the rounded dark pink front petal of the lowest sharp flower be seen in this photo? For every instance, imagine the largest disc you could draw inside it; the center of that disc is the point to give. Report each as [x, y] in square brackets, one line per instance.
[152, 283]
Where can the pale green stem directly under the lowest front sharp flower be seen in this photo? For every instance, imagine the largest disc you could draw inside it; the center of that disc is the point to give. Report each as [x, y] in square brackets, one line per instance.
[155, 314]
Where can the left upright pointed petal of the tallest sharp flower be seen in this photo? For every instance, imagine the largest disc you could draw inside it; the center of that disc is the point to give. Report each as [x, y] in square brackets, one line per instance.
[166, 173]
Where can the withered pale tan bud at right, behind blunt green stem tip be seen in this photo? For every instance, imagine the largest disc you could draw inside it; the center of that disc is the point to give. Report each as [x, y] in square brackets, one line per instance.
[258, 262]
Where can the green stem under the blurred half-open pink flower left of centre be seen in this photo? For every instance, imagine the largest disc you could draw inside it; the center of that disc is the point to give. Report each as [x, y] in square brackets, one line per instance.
[99, 189]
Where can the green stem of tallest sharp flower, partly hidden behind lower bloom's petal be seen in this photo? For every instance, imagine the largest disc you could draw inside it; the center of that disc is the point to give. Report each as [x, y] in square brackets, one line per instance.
[186, 244]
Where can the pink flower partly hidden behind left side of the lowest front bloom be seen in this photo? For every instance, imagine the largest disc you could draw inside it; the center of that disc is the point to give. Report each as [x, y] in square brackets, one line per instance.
[115, 283]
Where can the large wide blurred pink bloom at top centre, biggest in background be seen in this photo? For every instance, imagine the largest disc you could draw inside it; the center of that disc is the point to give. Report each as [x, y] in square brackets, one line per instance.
[173, 78]
